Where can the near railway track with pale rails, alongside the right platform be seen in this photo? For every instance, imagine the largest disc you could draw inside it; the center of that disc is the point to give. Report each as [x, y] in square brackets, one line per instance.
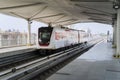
[29, 70]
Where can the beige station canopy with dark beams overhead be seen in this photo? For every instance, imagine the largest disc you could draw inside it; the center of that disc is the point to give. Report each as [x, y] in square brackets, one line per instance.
[61, 12]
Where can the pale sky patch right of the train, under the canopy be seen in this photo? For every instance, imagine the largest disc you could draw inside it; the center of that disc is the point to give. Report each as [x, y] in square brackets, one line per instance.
[95, 28]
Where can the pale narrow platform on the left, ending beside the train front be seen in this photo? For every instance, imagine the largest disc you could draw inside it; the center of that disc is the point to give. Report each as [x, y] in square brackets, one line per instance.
[4, 52]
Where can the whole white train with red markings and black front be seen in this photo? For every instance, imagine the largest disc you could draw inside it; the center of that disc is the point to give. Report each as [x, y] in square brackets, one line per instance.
[57, 37]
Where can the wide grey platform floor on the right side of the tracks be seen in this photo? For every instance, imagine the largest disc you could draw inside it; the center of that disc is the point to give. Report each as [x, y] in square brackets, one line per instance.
[95, 64]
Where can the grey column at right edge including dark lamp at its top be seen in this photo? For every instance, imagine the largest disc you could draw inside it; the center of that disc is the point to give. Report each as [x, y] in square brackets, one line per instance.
[116, 6]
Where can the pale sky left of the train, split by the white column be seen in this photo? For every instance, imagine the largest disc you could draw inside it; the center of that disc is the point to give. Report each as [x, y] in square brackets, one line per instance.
[9, 22]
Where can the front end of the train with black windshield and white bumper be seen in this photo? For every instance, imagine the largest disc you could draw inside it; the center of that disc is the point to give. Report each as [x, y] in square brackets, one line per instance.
[44, 37]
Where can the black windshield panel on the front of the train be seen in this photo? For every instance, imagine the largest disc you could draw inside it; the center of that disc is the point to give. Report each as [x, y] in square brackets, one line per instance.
[45, 35]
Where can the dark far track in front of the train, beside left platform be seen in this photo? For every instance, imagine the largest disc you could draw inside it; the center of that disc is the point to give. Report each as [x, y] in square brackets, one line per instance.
[12, 61]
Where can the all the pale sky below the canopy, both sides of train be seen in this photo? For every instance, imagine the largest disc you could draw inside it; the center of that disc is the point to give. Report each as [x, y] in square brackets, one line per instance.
[9, 22]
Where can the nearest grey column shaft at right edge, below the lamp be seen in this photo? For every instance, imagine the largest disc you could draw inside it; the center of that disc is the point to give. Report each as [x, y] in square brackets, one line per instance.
[118, 33]
